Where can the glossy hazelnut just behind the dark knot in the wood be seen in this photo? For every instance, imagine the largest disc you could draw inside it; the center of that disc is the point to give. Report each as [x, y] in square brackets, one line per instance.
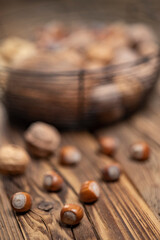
[52, 181]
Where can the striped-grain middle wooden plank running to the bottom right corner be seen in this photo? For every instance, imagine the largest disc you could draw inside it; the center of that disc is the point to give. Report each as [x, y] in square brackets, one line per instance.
[120, 211]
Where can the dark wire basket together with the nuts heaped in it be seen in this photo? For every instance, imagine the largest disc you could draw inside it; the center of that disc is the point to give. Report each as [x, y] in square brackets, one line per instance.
[106, 96]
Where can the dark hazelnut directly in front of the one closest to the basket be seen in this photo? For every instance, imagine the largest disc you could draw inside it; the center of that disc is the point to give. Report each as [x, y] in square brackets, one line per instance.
[111, 172]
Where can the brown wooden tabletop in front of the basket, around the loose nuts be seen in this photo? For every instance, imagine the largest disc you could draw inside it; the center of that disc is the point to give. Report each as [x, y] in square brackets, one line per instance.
[127, 209]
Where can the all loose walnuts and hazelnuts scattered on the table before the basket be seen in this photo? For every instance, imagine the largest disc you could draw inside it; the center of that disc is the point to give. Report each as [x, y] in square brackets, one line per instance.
[42, 140]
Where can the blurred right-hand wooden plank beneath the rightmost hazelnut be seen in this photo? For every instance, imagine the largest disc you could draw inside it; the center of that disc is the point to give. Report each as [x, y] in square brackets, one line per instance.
[143, 126]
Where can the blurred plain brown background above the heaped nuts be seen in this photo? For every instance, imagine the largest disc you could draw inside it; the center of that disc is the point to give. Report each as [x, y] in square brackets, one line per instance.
[20, 17]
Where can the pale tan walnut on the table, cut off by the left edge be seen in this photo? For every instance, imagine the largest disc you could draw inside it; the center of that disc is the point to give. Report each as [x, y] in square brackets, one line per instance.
[13, 159]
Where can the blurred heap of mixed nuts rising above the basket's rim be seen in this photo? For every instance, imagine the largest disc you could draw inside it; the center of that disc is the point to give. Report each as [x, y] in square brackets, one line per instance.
[80, 46]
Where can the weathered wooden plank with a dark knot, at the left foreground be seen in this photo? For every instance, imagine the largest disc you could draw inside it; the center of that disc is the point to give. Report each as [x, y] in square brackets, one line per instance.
[39, 223]
